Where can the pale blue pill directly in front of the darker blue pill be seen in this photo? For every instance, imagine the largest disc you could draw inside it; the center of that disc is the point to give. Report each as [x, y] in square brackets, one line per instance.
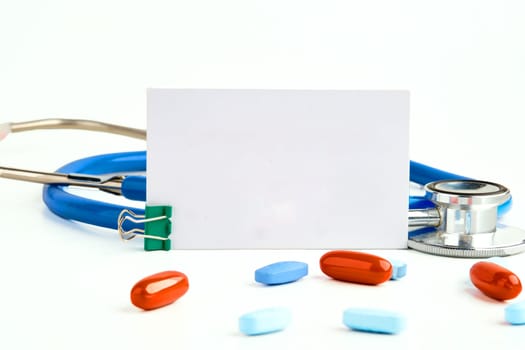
[265, 321]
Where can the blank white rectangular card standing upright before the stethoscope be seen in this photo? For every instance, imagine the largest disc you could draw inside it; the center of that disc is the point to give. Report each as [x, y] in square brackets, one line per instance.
[280, 168]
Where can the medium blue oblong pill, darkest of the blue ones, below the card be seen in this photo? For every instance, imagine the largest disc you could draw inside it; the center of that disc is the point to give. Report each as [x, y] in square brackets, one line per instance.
[281, 272]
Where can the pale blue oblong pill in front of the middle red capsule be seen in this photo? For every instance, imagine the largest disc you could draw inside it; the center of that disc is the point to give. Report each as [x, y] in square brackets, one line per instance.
[374, 320]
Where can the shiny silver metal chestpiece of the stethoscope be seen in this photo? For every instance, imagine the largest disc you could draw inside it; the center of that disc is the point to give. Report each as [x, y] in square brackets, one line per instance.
[467, 225]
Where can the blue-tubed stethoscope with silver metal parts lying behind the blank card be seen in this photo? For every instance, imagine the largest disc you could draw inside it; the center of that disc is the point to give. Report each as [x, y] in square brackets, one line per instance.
[457, 216]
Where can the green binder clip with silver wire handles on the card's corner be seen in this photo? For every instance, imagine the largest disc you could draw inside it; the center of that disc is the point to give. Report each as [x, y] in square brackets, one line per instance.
[157, 226]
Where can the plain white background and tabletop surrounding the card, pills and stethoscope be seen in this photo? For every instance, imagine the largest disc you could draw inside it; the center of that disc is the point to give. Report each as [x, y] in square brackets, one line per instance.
[67, 286]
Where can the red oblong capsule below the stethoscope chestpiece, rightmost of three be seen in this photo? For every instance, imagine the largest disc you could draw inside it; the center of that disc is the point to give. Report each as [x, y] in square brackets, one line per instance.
[495, 281]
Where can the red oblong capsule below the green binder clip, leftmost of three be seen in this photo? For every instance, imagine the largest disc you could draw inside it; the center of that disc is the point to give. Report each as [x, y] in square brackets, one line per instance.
[159, 290]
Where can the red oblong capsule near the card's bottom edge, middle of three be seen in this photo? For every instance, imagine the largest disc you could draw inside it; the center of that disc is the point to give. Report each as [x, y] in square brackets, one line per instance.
[356, 267]
